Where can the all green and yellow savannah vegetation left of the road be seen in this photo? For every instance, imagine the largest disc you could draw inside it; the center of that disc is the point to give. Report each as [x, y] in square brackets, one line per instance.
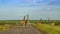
[4, 27]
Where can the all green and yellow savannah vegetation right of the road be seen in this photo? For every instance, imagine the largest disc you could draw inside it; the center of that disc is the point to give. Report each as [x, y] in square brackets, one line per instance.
[46, 27]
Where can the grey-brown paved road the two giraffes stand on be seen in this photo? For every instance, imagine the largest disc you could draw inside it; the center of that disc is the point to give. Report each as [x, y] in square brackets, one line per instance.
[28, 30]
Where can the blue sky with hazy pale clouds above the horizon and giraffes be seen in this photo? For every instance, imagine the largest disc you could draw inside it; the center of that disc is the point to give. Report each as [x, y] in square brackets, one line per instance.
[16, 9]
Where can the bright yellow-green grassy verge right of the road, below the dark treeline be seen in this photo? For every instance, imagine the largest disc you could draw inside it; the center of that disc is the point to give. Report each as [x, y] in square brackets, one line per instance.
[48, 29]
